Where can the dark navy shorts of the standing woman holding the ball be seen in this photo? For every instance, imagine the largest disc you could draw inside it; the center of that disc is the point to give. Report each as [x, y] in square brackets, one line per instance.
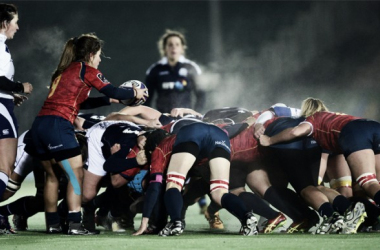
[53, 137]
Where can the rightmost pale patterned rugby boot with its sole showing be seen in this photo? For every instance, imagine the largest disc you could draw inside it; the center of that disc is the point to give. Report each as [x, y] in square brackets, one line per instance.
[353, 218]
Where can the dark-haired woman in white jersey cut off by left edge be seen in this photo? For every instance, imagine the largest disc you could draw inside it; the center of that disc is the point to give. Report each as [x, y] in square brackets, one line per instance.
[8, 122]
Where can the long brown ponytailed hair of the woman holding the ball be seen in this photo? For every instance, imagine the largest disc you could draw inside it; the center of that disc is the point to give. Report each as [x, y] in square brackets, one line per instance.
[78, 49]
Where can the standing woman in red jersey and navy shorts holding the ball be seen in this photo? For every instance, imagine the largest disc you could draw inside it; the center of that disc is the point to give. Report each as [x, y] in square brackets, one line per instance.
[53, 131]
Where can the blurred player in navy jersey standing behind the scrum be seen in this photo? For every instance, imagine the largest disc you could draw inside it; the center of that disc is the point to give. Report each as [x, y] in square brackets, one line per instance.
[174, 77]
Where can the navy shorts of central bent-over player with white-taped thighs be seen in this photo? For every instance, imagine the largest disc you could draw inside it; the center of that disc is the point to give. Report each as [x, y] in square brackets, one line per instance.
[206, 136]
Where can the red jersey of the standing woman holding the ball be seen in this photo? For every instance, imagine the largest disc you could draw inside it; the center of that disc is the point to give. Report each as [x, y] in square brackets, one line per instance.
[70, 89]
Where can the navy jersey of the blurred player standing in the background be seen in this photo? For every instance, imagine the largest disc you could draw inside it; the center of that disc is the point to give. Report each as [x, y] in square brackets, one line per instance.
[173, 85]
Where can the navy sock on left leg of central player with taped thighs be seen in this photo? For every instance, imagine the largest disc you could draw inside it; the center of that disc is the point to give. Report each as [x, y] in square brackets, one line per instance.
[173, 202]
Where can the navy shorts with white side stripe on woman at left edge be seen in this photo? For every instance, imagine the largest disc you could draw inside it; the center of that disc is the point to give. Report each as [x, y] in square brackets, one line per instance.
[8, 121]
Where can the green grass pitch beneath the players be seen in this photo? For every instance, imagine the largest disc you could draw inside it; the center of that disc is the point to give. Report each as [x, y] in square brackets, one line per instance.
[196, 236]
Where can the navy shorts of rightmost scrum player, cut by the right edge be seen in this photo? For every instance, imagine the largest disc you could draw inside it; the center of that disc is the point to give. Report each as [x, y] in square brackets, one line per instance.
[358, 135]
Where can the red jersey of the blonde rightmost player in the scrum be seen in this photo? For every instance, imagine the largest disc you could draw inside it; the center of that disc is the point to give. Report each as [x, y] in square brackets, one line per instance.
[326, 127]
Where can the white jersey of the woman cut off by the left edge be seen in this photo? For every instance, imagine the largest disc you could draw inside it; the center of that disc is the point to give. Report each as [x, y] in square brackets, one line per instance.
[7, 68]
